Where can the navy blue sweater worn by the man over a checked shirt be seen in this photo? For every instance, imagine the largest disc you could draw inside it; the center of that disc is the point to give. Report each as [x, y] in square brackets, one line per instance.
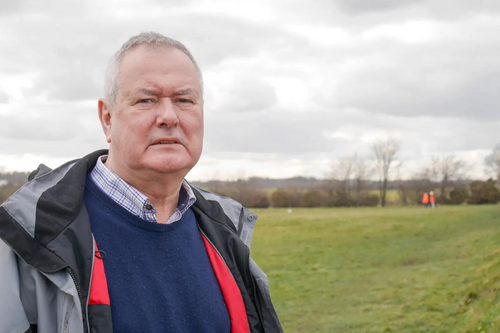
[159, 275]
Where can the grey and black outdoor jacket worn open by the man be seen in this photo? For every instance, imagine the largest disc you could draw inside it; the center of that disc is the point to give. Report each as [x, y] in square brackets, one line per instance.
[47, 255]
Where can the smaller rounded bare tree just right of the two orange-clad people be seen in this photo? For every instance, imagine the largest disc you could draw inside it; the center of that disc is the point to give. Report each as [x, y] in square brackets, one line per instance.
[445, 170]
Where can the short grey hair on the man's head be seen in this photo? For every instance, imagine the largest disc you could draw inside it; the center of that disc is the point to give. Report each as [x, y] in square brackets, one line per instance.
[112, 79]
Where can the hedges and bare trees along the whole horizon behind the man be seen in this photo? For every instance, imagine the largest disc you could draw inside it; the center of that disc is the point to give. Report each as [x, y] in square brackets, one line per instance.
[350, 183]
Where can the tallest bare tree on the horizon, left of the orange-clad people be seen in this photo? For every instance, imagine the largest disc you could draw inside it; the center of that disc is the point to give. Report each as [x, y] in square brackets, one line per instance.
[385, 152]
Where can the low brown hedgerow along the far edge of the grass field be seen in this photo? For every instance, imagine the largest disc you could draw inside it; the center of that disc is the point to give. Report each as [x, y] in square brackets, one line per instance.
[333, 194]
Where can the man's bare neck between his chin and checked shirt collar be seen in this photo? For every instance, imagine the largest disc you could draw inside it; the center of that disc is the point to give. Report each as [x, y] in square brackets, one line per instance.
[161, 189]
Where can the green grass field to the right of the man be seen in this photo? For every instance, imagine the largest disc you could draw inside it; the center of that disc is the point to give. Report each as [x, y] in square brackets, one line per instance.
[390, 269]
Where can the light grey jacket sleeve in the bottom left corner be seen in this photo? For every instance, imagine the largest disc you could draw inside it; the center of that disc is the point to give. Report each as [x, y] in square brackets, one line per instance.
[12, 314]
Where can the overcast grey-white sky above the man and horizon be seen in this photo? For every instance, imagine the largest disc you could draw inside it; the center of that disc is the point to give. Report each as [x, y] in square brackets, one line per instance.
[290, 85]
